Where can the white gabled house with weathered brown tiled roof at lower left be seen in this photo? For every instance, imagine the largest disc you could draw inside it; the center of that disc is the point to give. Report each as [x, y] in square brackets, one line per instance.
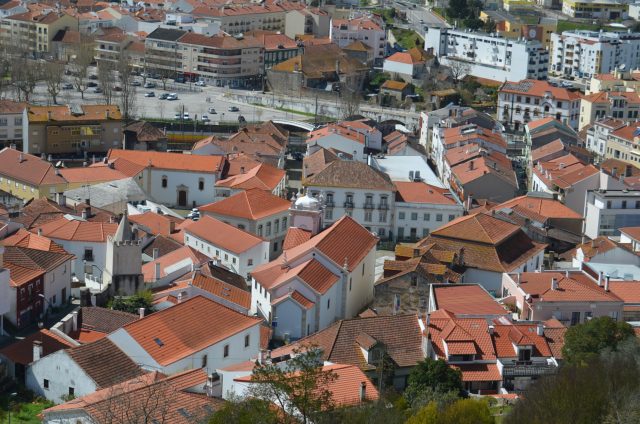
[80, 371]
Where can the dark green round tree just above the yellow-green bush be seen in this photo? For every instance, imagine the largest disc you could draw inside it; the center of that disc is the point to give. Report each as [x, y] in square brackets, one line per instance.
[435, 375]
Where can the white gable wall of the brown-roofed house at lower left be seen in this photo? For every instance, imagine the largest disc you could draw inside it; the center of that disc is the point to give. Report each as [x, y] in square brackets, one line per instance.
[61, 374]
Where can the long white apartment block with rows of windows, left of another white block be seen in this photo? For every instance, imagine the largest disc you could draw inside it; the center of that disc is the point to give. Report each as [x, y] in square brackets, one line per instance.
[489, 56]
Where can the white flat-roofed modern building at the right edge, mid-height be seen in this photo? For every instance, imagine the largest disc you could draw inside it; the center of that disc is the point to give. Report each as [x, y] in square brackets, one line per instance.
[606, 211]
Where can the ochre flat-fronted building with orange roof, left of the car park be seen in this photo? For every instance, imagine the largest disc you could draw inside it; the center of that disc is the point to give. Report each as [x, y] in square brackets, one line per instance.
[73, 129]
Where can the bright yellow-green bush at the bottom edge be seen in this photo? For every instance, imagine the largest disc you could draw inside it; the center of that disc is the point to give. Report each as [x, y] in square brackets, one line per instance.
[462, 411]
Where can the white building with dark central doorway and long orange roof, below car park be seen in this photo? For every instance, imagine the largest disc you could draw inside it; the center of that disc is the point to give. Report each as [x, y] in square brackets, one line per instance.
[175, 179]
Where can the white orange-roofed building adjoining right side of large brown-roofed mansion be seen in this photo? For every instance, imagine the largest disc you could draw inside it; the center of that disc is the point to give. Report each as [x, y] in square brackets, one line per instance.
[421, 208]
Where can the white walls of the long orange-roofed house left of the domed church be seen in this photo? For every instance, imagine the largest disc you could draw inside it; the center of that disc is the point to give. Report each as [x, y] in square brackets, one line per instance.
[242, 263]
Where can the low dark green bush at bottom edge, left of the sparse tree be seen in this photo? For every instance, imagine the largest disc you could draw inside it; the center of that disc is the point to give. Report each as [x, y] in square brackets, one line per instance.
[245, 411]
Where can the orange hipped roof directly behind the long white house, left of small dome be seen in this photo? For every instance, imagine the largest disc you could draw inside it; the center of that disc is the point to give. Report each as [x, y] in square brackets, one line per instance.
[250, 204]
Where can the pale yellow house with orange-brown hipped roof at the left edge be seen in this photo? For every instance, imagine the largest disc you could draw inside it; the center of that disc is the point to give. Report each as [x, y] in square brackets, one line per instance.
[27, 177]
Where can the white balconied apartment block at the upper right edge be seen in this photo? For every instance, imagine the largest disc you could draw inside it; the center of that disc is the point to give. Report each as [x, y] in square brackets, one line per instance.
[582, 54]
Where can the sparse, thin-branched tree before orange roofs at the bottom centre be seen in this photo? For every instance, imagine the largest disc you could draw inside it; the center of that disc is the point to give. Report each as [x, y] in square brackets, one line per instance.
[299, 387]
